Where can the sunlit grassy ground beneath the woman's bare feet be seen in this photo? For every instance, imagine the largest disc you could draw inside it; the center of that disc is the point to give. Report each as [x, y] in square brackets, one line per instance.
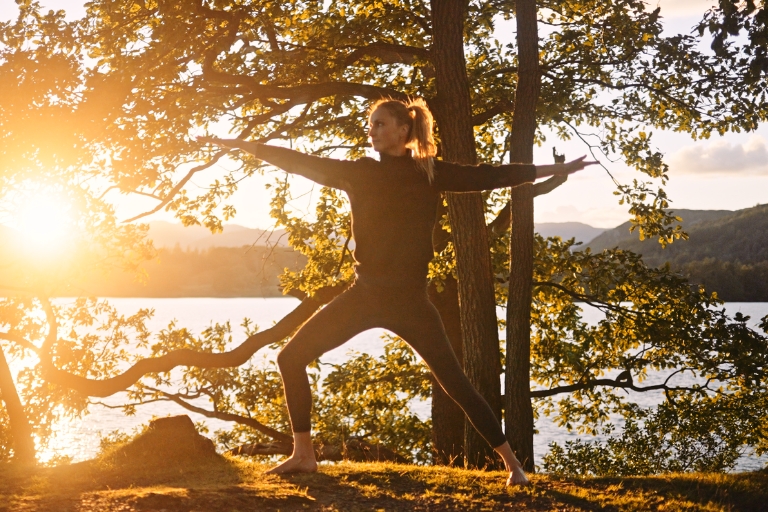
[220, 484]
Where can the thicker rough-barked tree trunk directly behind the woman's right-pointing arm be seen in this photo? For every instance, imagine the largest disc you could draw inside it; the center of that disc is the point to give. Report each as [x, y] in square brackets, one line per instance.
[476, 293]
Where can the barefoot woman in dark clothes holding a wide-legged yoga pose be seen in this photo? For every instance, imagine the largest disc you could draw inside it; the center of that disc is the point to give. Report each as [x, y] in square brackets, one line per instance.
[394, 202]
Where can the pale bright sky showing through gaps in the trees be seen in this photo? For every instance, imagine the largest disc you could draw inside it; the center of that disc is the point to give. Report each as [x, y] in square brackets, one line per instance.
[725, 173]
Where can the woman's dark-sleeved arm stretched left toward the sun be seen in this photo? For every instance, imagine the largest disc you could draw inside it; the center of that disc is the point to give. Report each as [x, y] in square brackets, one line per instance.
[328, 172]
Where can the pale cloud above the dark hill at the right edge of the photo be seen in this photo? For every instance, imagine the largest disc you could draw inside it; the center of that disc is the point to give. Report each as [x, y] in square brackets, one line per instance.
[721, 157]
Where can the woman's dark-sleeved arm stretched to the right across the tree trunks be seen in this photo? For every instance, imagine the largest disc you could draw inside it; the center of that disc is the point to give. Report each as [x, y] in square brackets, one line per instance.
[452, 177]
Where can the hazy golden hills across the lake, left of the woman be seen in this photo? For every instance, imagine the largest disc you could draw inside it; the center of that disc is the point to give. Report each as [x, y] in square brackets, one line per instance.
[191, 262]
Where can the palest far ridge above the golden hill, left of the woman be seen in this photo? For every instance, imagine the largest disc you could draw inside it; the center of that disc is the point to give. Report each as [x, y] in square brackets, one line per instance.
[167, 234]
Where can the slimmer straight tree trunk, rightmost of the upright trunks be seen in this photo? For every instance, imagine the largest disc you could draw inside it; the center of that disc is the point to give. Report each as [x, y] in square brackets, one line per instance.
[519, 413]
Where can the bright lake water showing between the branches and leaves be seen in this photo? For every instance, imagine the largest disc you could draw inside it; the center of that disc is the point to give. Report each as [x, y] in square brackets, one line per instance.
[79, 438]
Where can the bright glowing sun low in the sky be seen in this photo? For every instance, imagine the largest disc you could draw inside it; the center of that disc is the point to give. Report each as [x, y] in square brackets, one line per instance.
[43, 218]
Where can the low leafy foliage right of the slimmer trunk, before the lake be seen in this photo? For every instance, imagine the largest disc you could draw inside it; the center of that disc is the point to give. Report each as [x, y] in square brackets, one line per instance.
[655, 324]
